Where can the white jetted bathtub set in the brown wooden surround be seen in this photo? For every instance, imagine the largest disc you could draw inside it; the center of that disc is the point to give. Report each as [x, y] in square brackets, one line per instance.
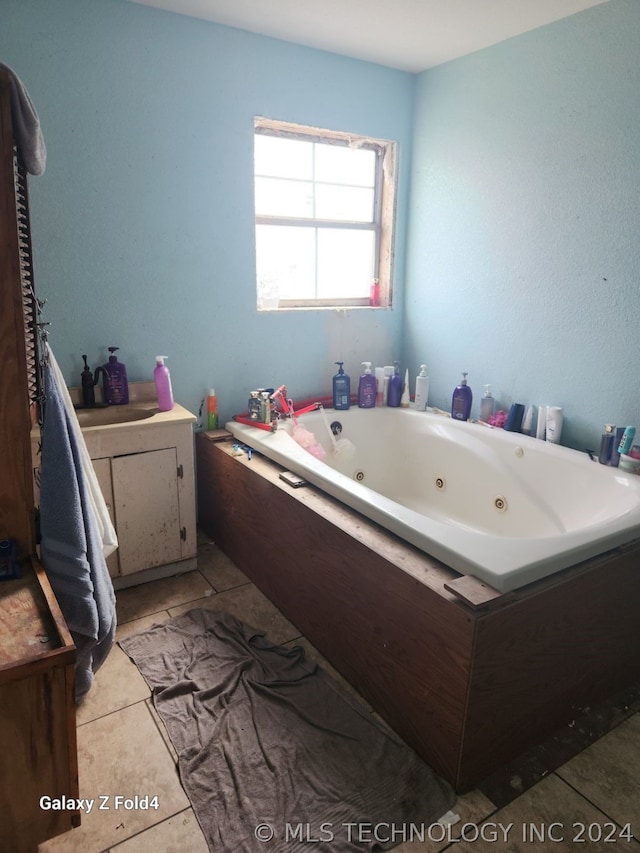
[502, 506]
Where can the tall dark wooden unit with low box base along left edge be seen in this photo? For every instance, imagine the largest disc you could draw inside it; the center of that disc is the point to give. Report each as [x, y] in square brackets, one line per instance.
[37, 712]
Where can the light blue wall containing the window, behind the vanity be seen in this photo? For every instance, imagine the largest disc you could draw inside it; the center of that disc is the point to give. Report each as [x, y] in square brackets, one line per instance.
[143, 220]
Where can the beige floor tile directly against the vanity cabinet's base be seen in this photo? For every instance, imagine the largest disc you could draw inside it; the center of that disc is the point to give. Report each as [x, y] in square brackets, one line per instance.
[145, 599]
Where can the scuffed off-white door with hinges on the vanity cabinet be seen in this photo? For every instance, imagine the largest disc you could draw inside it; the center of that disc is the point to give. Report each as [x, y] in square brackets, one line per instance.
[147, 509]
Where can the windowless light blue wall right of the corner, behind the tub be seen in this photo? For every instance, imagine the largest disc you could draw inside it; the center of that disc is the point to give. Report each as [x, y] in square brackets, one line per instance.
[523, 265]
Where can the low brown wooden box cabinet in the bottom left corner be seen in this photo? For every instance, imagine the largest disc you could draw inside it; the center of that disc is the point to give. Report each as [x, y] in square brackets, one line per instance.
[37, 713]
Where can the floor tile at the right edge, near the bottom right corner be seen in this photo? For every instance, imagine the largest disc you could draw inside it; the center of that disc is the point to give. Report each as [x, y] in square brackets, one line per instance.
[608, 773]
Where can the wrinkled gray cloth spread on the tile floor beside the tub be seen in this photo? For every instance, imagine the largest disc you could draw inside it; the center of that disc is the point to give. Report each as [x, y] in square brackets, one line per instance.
[269, 744]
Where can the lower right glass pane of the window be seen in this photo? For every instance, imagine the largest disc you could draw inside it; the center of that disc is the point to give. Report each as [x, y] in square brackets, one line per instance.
[345, 263]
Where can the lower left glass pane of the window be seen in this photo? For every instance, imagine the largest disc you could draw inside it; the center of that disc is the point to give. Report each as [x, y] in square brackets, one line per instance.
[285, 259]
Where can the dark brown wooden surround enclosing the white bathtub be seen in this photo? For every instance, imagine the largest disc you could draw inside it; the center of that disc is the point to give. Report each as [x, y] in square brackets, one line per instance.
[469, 677]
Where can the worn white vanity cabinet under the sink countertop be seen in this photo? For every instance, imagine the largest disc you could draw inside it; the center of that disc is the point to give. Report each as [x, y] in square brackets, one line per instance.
[145, 468]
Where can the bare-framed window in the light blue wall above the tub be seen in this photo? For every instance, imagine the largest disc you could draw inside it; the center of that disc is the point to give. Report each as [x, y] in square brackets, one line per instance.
[325, 207]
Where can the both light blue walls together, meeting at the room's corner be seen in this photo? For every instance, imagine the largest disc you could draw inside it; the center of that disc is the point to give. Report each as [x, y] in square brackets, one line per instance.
[516, 252]
